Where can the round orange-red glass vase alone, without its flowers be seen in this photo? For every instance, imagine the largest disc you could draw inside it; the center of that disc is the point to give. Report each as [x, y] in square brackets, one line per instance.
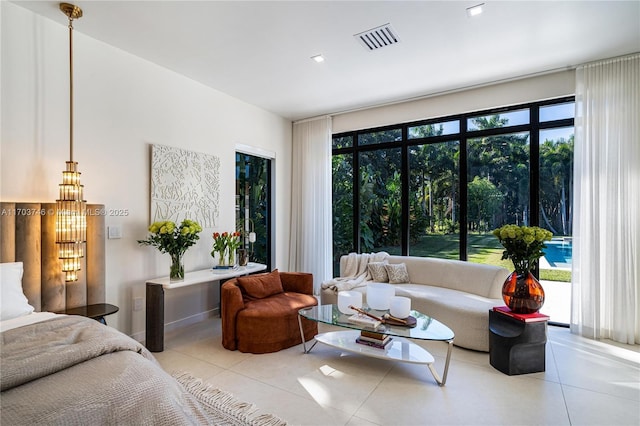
[522, 293]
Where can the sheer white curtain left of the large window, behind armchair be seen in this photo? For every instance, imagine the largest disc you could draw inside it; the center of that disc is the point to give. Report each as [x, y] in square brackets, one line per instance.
[311, 239]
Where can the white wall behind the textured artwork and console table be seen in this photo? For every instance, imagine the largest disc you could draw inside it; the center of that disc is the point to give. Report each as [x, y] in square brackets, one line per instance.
[123, 104]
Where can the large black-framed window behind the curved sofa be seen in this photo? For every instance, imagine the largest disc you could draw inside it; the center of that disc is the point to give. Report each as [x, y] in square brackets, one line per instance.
[440, 187]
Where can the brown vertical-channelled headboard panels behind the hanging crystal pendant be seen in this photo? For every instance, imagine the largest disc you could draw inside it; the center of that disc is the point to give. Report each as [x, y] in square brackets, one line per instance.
[27, 235]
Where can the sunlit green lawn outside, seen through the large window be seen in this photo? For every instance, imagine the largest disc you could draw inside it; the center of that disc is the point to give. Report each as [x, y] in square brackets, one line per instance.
[483, 248]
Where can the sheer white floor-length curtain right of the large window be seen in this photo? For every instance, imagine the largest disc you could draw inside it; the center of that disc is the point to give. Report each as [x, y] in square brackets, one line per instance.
[606, 244]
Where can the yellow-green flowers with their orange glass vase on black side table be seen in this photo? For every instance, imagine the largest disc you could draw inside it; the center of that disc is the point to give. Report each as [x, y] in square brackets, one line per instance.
[524, 245]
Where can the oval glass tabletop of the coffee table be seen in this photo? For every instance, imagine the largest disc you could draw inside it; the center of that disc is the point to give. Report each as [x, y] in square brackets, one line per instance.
[427, 328]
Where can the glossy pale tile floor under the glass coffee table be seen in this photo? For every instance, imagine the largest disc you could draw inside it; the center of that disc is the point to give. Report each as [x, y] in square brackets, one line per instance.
[585, 383]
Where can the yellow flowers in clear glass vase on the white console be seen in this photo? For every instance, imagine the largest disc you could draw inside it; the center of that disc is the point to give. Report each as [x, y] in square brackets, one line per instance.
[175, 240]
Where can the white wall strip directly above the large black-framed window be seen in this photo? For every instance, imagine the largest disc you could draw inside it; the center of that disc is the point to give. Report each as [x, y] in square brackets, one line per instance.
[491, 96]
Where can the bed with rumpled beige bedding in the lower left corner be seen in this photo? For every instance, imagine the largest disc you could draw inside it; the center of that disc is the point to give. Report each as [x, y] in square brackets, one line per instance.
[73, 370]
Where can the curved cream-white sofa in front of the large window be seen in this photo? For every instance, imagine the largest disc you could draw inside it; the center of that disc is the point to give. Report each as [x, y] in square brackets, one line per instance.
[458, 294]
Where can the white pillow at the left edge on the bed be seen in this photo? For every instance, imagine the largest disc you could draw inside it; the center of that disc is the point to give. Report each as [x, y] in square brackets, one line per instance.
[13, 301]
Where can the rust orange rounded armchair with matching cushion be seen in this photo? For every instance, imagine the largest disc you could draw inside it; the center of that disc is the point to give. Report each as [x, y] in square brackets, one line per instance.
[260, 312]
